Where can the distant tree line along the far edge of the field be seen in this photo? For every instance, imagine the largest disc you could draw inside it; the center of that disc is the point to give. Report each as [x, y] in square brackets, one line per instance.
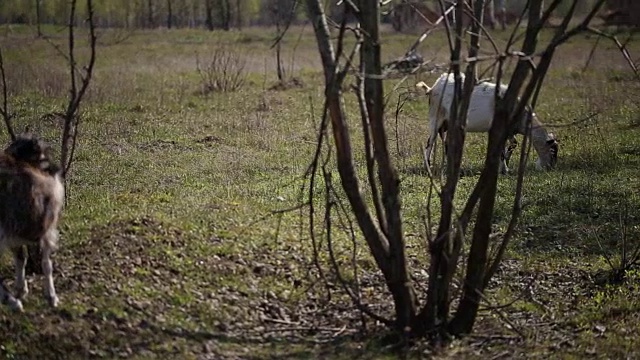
[212, 14]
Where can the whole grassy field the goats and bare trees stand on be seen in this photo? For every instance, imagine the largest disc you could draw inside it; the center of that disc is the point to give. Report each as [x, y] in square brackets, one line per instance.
[167, 251]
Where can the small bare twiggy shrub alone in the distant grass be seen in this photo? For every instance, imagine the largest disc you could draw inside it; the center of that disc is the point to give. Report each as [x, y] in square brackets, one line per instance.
[223, 72]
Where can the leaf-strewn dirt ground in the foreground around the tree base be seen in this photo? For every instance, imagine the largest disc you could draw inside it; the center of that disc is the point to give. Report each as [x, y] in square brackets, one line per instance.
[141, 287]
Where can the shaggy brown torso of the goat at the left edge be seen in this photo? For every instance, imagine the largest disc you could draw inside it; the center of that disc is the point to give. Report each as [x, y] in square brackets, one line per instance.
[30, 201]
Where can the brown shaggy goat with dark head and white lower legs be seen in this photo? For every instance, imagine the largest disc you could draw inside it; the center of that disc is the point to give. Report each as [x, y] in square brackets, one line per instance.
[31, 199]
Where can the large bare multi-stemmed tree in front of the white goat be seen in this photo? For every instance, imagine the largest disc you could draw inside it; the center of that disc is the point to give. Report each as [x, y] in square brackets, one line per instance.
[378, 215]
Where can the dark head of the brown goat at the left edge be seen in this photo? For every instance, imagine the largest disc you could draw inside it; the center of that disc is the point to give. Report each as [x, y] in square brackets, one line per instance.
[33, 151]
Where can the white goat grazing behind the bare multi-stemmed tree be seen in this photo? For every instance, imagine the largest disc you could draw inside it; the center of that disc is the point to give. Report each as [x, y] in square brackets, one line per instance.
[480, 117]
